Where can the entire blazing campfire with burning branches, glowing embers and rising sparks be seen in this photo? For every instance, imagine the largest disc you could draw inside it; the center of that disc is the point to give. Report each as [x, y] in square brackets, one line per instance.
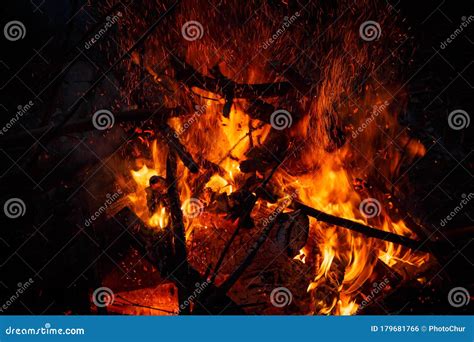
[267, 174]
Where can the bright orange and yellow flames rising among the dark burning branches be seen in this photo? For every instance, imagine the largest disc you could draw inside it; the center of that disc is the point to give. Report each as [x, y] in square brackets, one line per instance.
[321, 173]
